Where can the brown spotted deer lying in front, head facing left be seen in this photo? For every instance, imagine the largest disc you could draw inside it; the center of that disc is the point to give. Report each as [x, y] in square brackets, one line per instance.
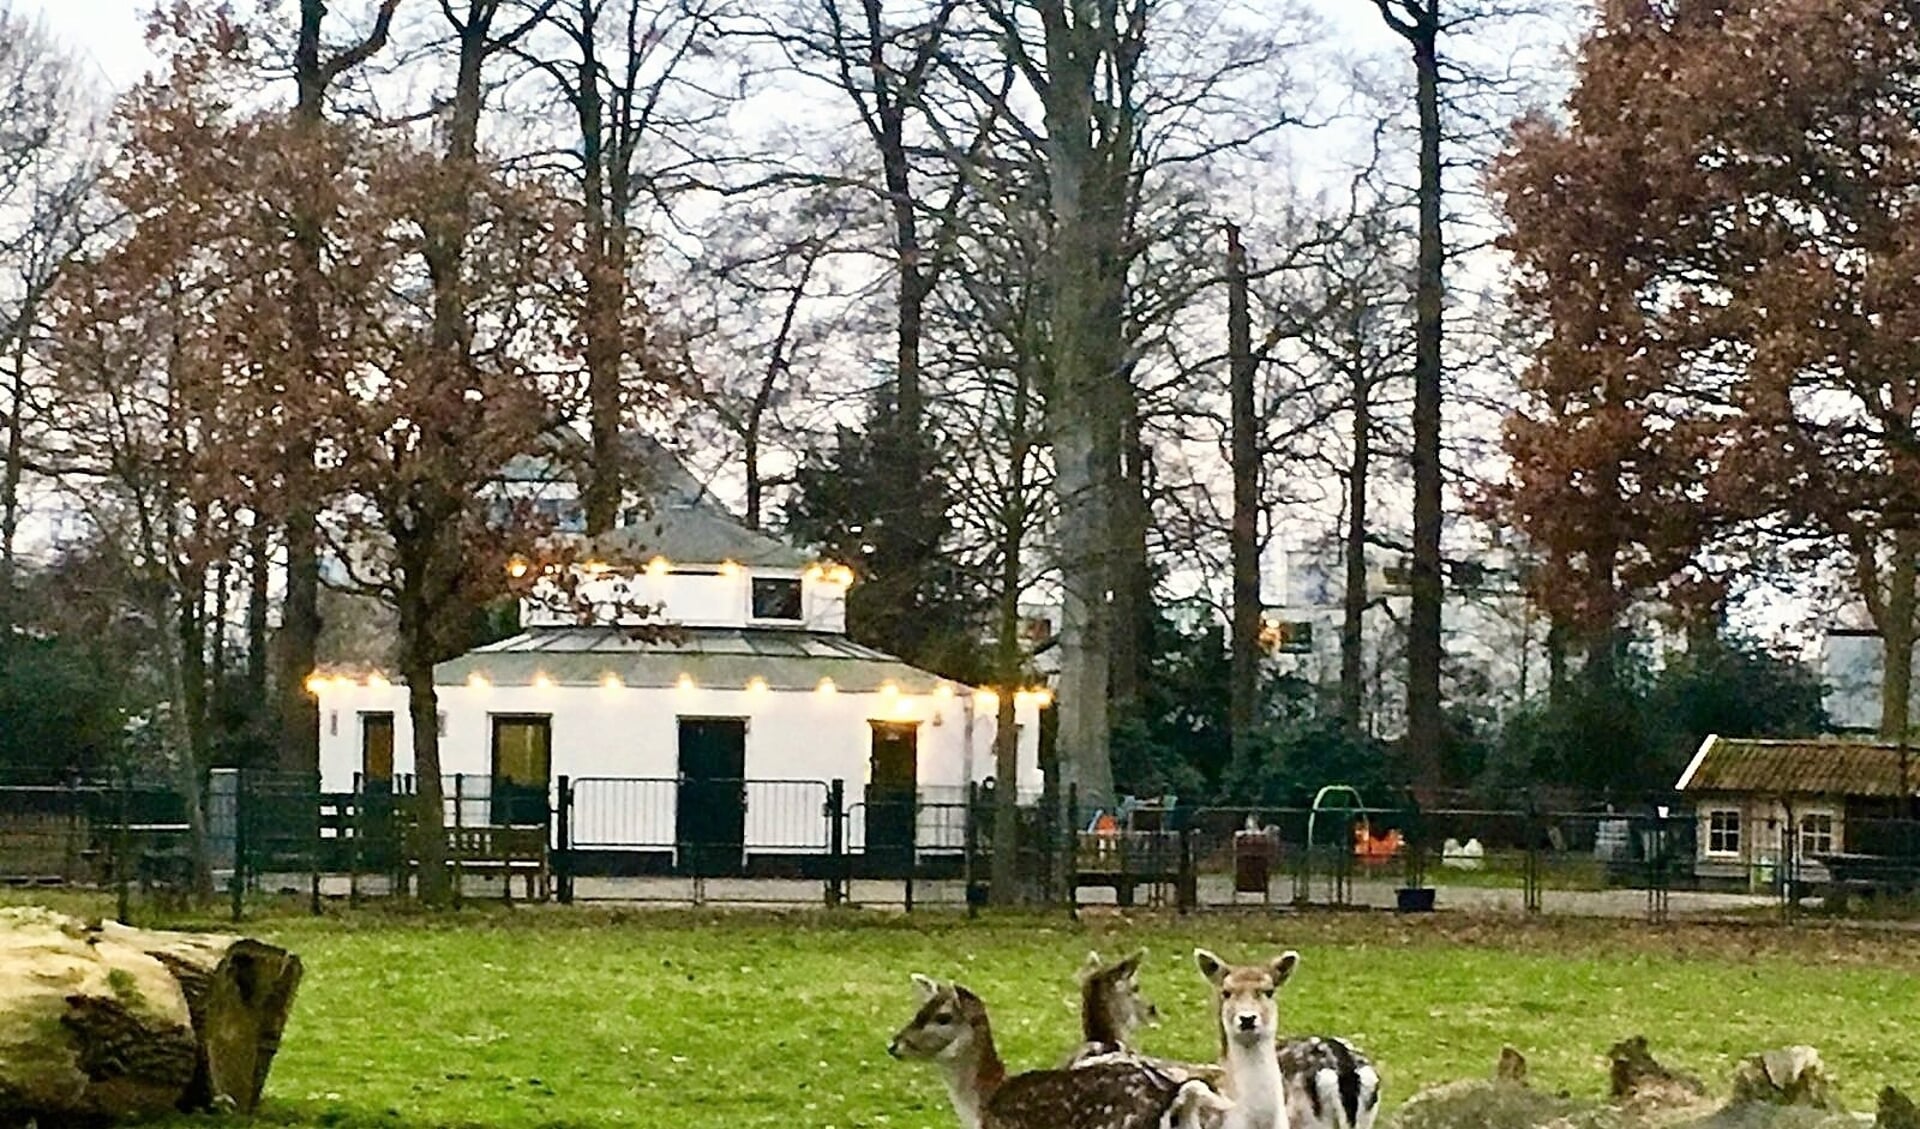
[951, 1030]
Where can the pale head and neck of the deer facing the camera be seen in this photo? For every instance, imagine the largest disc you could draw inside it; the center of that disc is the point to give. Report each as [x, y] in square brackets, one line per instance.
[1249, 1038]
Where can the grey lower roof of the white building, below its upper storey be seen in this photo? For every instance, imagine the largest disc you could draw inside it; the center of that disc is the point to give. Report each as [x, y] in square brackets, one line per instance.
[711, 658]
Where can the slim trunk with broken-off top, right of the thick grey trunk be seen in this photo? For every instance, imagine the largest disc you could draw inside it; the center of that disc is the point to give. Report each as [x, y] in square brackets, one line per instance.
[1245, 535]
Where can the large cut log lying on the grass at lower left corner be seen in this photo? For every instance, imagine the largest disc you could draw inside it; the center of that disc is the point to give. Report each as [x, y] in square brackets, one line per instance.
[107, 1022]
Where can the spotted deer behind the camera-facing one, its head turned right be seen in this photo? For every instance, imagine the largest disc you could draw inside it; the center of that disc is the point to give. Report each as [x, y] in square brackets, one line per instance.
[1330, 1082]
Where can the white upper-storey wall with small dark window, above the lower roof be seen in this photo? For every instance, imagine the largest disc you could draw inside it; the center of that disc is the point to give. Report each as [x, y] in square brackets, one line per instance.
[708, 600]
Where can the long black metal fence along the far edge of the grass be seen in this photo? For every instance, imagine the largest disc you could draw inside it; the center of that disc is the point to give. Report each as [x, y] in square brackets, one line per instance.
[638, 840]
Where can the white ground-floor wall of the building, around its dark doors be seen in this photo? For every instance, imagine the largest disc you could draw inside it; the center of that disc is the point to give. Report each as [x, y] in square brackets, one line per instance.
[633, 733]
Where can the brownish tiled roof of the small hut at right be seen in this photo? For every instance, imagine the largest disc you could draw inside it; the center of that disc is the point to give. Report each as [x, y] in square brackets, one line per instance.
[1800, 767]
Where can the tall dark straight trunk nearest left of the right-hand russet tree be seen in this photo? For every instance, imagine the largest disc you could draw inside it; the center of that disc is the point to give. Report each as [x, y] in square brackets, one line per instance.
[1424, 617]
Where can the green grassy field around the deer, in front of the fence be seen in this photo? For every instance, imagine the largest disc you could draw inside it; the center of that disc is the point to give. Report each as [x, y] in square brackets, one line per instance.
[540, 1019]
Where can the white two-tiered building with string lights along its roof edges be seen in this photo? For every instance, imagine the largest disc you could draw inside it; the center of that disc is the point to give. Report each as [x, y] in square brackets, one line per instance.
[719, 742]
